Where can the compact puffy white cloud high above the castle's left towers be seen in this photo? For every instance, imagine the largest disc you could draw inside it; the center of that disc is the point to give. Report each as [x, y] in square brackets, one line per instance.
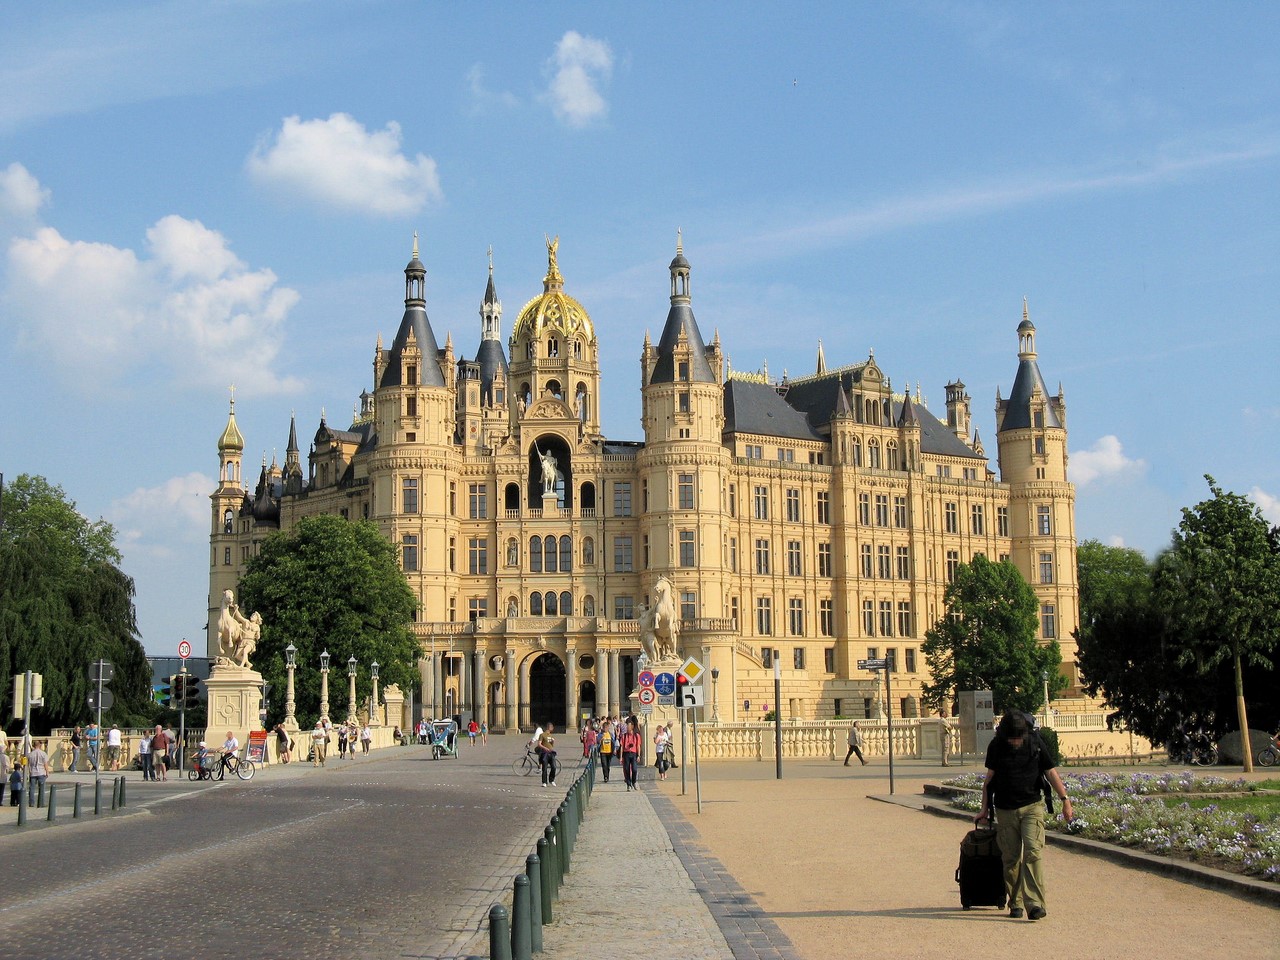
[341, 164]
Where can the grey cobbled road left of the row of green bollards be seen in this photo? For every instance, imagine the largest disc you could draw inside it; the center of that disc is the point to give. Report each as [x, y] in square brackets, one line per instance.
[394, 856]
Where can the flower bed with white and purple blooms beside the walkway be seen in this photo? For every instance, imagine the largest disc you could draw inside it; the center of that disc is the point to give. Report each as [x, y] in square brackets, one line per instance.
[1127, 810]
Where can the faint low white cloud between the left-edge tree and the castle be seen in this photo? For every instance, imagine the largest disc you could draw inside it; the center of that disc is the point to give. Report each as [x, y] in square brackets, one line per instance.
[153, 519]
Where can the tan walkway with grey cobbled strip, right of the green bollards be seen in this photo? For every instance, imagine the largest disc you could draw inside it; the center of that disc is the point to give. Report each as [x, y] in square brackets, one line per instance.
[816, 867]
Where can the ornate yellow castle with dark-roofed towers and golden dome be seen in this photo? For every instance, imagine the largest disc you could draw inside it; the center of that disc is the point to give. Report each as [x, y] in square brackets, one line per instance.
[815, 522]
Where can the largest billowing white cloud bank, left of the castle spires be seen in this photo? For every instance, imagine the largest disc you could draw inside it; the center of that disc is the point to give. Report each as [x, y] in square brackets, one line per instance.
[99, 312]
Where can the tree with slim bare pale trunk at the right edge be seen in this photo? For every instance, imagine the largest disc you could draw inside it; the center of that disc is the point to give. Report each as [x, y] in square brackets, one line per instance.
[1219, 588]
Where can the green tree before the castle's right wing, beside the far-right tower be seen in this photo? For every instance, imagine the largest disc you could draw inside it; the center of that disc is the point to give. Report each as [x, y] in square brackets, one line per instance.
[988, 641]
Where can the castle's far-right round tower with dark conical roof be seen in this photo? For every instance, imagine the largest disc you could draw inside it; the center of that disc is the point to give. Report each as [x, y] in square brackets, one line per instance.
[1032, 451]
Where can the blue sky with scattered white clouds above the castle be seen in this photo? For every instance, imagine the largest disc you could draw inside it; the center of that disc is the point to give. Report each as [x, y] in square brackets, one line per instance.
[196, 195]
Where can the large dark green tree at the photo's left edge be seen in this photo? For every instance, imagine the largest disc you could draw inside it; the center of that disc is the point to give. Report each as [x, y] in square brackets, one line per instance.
[63, 605]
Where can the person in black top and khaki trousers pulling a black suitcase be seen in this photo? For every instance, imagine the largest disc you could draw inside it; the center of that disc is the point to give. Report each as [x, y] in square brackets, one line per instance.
[1017, 761]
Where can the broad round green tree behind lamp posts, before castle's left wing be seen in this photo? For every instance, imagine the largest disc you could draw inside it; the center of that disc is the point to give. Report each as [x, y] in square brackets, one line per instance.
[336, 586]
